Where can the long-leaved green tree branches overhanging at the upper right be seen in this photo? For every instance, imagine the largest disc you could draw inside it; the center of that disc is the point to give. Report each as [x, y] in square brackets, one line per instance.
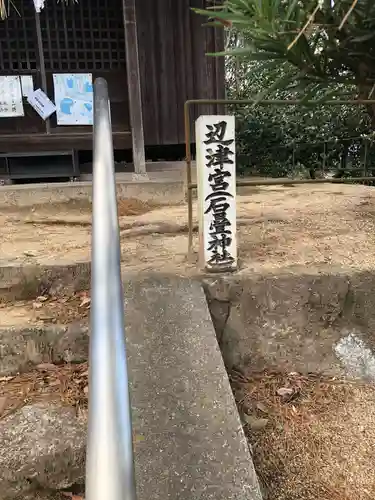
[319, 43]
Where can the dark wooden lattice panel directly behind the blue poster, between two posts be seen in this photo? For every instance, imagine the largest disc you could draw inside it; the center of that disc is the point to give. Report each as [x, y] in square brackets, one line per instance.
[87, 37]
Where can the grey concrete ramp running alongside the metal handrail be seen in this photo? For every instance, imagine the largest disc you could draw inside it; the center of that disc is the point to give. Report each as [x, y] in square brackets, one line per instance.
[189, 442]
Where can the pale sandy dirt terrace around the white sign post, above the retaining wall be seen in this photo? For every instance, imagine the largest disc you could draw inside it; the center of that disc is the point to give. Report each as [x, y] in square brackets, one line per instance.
[278, 227]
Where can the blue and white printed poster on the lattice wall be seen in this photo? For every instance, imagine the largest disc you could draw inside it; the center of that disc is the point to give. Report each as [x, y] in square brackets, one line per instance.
[74, 98]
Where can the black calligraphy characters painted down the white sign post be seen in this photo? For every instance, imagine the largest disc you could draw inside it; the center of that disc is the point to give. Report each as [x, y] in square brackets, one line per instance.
[219, 155]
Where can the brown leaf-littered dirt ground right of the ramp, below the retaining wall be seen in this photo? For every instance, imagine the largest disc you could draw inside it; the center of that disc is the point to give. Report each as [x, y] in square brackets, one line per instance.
[312, 437]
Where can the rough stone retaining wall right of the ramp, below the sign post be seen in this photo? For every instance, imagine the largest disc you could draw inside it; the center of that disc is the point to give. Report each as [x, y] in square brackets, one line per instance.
[305, 322]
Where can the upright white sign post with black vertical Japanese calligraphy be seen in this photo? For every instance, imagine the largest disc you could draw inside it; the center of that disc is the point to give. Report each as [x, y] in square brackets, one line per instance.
[216, 172]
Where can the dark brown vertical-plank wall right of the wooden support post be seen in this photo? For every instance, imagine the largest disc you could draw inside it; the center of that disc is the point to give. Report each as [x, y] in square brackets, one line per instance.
[174, 66]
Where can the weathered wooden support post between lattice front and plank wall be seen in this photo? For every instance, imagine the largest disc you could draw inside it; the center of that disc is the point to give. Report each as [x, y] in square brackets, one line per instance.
[134, 87]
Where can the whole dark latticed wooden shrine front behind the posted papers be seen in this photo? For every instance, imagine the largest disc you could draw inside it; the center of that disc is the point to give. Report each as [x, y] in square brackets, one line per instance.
[82, 37]
